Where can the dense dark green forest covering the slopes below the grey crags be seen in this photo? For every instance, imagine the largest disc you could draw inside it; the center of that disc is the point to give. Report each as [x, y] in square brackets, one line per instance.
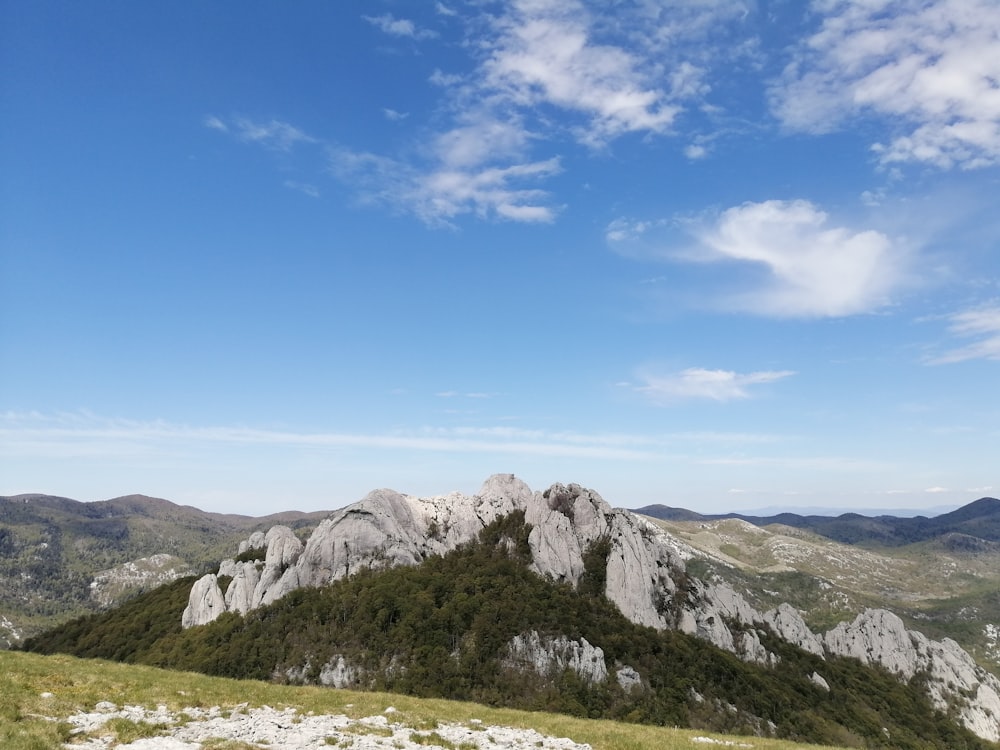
[441, 630]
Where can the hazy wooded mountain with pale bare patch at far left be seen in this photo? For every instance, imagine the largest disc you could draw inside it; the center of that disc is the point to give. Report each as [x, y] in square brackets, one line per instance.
[60, 557]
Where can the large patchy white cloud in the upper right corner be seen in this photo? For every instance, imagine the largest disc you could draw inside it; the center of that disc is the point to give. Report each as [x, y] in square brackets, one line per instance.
[930, 69]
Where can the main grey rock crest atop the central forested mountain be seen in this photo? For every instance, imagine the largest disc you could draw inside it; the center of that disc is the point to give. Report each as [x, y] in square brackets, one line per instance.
[387, 528]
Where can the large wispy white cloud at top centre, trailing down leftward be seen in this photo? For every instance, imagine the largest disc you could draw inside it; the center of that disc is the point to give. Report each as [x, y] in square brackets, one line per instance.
[543, 72]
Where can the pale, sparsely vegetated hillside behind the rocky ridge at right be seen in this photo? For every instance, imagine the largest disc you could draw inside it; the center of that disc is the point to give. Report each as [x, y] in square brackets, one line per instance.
[948, 586]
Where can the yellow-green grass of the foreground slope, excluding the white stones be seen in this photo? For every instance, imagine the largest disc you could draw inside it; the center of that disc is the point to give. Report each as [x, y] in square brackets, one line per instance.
[78, 685]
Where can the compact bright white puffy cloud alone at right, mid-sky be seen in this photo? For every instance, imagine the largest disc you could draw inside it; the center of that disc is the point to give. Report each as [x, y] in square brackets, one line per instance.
[814, 270]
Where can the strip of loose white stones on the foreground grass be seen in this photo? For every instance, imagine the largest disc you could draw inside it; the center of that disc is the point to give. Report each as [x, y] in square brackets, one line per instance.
[287, 729]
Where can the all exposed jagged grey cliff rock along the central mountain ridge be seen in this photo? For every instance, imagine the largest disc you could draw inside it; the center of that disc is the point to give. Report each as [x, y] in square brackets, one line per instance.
[645, 578]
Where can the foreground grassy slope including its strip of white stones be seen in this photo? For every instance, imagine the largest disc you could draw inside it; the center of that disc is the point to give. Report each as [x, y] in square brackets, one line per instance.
[46, 700]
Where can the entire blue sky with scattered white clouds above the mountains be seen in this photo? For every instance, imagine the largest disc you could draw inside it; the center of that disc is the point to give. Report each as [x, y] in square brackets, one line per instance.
[716, 254]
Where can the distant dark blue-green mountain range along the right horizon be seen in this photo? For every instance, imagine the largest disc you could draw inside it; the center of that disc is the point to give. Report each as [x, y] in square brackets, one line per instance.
[977, 520]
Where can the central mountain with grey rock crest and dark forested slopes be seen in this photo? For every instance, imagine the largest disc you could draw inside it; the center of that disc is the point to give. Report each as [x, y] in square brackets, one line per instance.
[550, 600]
